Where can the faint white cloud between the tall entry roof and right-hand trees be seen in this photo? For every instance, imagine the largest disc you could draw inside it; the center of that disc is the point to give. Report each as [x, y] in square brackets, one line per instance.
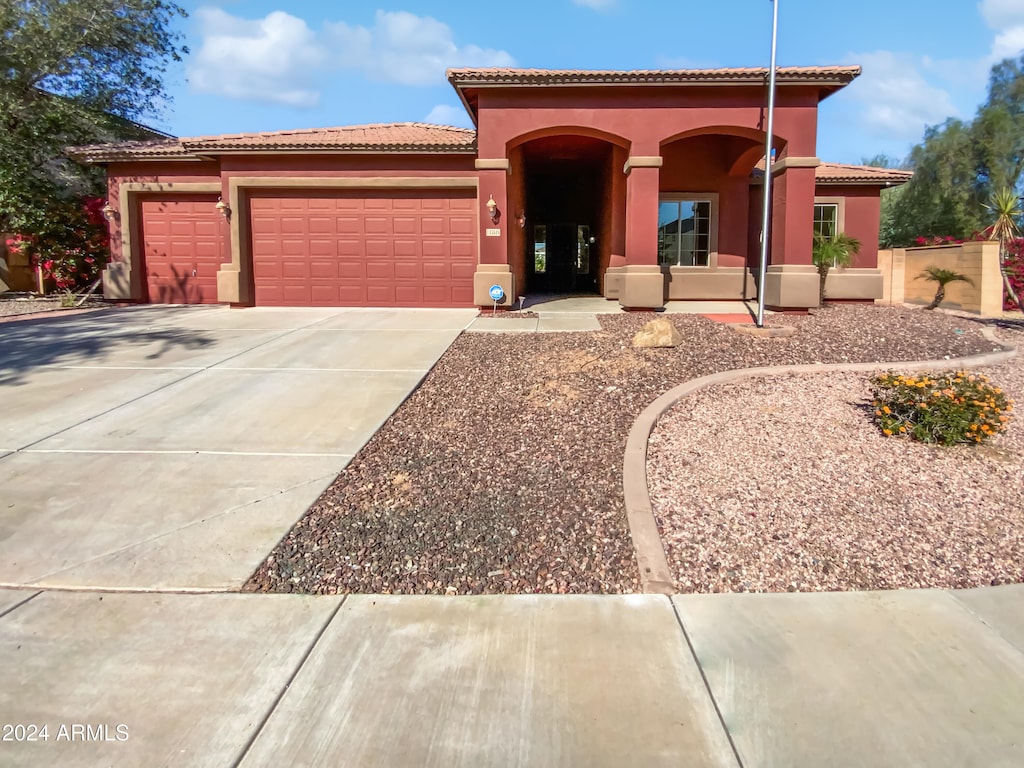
[897, 101]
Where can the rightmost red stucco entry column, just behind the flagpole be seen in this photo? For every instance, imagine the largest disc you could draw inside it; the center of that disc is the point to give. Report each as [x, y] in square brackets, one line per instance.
[792, 282]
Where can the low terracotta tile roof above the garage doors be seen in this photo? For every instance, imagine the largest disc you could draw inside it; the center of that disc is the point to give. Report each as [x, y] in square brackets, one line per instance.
[386, 138]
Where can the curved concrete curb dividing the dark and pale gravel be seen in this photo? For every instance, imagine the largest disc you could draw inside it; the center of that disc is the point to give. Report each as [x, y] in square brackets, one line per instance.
[656, 577]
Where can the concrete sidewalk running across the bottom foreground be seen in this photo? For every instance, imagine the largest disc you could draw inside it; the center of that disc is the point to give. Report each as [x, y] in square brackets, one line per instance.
[852, 679]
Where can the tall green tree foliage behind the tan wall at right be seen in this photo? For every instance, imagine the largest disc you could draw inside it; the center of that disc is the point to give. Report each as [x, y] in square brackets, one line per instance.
[959, 166]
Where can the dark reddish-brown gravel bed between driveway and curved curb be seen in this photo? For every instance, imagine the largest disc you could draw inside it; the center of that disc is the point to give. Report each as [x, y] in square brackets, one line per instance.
[502, 474]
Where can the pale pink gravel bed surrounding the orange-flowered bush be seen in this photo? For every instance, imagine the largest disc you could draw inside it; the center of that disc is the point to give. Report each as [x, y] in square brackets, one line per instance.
[803, 493]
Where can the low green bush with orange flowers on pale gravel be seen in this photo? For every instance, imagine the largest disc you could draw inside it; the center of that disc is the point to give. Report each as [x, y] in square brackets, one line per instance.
[947, 409]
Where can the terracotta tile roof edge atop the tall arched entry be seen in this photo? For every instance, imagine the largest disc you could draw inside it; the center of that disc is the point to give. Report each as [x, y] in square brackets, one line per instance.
[462, 78]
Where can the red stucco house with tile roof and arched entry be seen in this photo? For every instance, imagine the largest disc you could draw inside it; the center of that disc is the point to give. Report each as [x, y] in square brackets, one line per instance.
[637, 186]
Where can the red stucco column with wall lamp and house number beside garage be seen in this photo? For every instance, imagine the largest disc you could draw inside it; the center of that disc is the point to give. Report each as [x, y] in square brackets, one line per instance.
[494, 268]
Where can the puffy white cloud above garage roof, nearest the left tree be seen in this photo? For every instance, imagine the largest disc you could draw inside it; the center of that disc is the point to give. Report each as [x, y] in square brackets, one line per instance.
[275, 59]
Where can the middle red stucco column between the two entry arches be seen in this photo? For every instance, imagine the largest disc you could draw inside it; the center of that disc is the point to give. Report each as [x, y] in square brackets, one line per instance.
[643, 282]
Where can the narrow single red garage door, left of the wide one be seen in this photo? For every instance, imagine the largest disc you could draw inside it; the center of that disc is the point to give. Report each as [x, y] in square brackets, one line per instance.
[183, 248]
